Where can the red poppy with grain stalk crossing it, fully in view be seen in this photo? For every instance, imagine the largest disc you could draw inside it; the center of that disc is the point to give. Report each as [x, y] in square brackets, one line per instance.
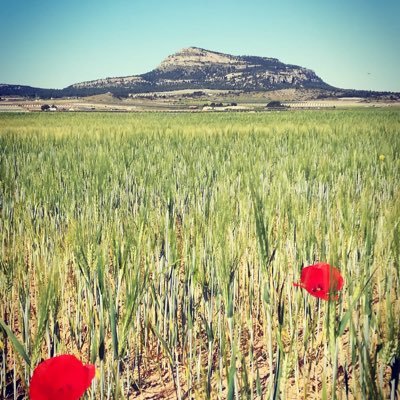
[321, 280]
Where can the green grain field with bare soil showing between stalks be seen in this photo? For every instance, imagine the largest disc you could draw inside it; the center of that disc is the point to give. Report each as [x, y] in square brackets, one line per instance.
[164, 247]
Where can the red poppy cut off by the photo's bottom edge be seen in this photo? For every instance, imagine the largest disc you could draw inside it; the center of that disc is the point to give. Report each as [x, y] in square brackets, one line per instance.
[61, 378]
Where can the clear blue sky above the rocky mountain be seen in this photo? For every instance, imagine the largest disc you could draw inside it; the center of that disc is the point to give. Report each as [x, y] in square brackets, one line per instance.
[52, 44]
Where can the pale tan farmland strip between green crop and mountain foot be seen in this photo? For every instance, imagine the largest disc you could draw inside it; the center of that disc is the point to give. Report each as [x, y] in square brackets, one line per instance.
[189, 101]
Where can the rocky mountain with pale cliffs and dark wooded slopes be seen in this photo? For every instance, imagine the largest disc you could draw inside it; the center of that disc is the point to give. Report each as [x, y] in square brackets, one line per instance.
[196, 68]
